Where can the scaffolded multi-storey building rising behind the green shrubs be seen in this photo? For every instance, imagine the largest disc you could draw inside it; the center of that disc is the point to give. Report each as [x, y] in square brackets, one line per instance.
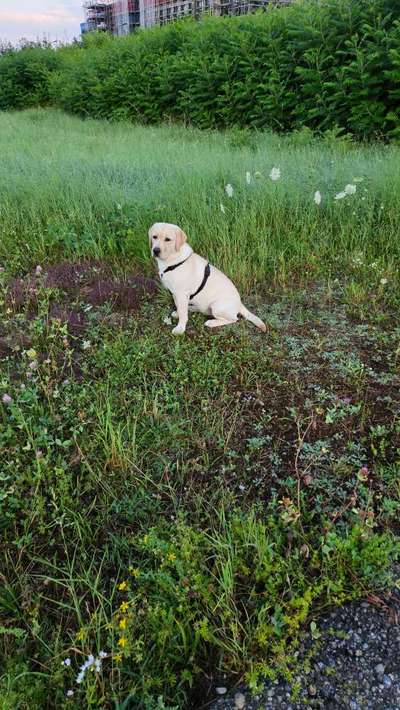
[121, 17]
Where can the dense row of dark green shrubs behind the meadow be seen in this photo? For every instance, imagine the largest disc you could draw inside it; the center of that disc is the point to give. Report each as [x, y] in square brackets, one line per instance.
[320, 64]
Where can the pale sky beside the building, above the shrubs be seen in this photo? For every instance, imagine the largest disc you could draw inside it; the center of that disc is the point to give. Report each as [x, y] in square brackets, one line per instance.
[33, 19]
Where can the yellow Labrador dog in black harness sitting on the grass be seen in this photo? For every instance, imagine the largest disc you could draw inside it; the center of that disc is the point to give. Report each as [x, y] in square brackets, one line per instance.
[195, 284]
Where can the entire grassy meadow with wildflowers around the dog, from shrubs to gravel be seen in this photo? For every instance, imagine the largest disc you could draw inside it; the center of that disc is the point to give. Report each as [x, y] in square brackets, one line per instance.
[176, 512]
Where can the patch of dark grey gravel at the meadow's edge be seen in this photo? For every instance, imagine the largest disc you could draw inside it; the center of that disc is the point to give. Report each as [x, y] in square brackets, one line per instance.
[356, 666]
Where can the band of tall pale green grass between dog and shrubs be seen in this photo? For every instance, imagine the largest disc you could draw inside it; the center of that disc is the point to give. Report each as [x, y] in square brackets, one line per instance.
[88, 188]
